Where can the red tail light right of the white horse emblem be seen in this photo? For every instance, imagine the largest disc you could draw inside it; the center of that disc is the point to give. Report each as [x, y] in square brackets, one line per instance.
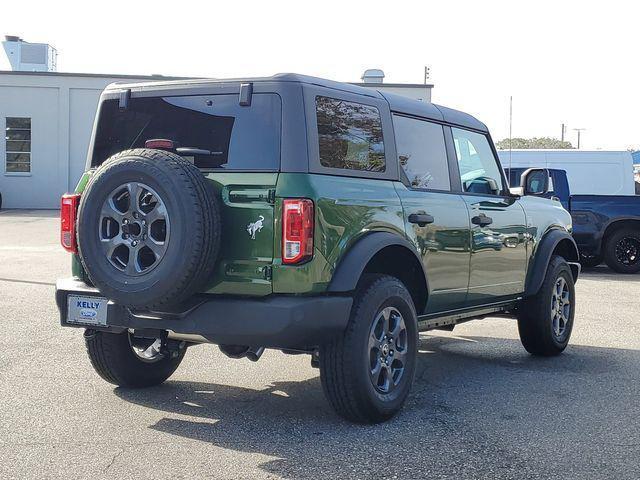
[297, 230]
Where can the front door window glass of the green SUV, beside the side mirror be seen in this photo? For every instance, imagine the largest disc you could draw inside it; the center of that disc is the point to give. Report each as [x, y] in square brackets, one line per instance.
[479, 170]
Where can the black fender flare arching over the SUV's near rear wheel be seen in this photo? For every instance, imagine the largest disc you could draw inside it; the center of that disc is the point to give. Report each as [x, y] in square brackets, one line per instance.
[350, 267]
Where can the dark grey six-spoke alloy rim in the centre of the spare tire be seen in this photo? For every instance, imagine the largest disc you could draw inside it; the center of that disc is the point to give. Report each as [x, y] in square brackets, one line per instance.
[134, 228]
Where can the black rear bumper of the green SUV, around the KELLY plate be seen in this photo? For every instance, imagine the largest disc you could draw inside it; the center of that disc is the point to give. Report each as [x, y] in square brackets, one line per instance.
[278, 321]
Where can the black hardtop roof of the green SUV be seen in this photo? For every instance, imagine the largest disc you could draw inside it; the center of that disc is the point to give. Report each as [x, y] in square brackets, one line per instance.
[398, 103]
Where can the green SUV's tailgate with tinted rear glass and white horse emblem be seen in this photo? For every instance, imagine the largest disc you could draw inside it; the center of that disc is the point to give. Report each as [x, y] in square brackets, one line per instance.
[236, 146]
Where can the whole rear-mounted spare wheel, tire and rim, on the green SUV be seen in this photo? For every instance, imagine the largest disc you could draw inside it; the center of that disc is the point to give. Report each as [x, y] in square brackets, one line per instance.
[148, 229]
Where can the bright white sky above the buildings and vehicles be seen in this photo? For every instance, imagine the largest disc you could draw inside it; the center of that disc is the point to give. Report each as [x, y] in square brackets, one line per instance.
[576, 62]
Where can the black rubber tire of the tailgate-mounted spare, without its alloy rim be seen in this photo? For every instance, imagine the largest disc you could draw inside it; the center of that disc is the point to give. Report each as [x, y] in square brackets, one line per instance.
[195, 229]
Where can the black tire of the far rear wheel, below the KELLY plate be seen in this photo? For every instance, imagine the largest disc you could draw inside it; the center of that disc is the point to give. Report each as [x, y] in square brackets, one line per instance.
[112, 358]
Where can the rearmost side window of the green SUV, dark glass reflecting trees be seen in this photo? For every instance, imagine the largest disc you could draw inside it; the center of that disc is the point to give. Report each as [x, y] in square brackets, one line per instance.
[349, 135]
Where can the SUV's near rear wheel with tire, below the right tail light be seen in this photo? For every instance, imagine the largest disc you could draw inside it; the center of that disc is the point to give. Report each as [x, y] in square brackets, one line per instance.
[367, 372]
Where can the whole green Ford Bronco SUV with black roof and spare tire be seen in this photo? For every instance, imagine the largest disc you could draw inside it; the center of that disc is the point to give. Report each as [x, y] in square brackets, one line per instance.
[308, 216]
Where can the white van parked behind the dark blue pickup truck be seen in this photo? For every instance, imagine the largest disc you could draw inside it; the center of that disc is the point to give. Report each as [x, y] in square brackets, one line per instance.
[589, 172]
